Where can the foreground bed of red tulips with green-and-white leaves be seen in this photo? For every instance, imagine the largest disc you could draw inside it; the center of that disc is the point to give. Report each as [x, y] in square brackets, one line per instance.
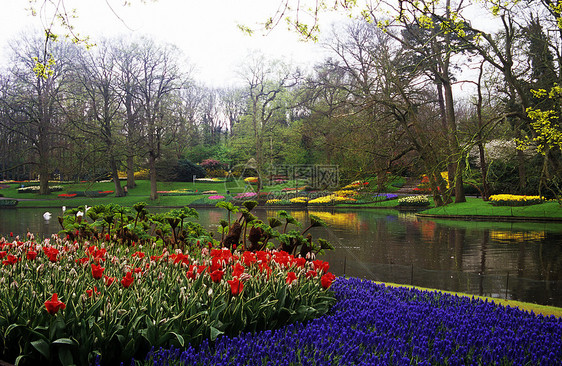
[70, 301]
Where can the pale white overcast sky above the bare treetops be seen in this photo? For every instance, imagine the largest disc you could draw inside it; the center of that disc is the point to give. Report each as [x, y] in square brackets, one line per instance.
[205, 30]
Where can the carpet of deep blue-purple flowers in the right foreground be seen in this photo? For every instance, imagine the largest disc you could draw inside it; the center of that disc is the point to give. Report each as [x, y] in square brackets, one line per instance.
[376, 325]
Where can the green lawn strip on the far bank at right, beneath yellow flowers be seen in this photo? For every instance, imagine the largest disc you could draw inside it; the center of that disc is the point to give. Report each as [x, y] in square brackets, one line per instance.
[478, 207]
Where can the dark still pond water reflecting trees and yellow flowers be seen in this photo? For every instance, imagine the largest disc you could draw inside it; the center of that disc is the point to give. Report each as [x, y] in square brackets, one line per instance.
[520, 261]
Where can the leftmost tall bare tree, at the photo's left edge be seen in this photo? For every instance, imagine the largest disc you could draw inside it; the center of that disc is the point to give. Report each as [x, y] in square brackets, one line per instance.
[32, 103]
